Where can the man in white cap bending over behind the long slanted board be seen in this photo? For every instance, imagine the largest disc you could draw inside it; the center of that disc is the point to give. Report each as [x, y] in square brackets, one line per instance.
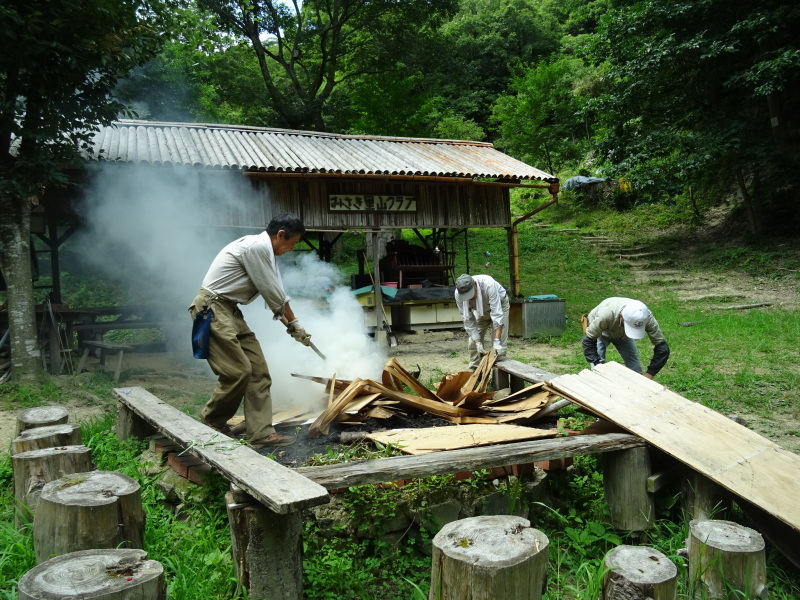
[622, 321]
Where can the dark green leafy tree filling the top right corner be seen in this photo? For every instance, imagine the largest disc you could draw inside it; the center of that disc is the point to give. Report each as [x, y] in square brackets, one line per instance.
[700, 92]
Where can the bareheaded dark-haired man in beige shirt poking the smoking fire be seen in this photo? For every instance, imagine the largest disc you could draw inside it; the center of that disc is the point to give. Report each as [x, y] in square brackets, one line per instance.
[242, 271]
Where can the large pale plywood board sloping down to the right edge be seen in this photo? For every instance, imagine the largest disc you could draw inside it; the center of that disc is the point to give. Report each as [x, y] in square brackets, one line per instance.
[735, 457]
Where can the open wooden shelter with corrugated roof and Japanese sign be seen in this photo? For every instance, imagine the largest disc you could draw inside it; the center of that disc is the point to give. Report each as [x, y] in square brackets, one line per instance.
[335, 183]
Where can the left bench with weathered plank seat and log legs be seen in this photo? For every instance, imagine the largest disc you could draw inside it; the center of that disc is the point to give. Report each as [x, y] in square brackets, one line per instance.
[265, 511]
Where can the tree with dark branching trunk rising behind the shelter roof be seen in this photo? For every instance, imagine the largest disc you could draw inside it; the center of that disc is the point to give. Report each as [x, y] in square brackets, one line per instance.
[306, 50]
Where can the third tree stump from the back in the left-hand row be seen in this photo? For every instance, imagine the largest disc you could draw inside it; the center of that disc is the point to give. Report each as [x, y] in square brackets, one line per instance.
[35, 468]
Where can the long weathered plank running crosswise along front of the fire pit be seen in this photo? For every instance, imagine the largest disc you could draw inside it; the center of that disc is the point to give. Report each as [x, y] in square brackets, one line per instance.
[469, 459]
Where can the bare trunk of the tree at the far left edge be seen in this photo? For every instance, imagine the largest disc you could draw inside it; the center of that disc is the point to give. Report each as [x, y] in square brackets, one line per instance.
[15, 262]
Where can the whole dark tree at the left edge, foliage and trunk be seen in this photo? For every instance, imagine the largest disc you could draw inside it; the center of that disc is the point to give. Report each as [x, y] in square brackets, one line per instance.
[55, 88]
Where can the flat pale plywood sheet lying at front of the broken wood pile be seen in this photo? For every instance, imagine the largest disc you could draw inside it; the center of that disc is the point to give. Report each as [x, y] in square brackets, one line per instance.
[434, 439]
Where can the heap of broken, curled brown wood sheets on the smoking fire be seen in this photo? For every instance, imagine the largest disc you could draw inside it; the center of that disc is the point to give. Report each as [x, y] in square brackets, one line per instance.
[460, 398]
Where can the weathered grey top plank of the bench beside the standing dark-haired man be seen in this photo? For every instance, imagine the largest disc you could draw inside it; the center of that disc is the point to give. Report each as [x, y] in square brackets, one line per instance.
[273, 485]
